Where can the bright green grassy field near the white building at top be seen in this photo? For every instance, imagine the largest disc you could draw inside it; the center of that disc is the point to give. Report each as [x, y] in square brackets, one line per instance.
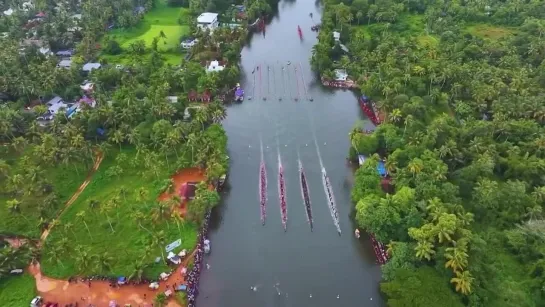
[160, 18]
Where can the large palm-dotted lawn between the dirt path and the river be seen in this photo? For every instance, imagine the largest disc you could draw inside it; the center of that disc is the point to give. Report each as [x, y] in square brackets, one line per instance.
[130, 243]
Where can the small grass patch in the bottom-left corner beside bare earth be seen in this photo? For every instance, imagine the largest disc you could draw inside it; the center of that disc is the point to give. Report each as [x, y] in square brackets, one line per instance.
[17, 291]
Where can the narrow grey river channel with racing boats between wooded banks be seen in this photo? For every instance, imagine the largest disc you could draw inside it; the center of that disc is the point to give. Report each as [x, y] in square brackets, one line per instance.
[318, 268]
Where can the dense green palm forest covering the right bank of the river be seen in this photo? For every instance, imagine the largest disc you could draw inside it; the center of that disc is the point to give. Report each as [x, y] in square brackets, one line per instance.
[462, 84]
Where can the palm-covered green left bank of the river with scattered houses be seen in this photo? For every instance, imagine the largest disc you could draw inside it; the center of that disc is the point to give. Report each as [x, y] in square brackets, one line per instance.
[142, 128]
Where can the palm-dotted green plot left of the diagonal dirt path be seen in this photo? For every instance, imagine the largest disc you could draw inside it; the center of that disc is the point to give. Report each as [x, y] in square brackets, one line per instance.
[40, 193]
